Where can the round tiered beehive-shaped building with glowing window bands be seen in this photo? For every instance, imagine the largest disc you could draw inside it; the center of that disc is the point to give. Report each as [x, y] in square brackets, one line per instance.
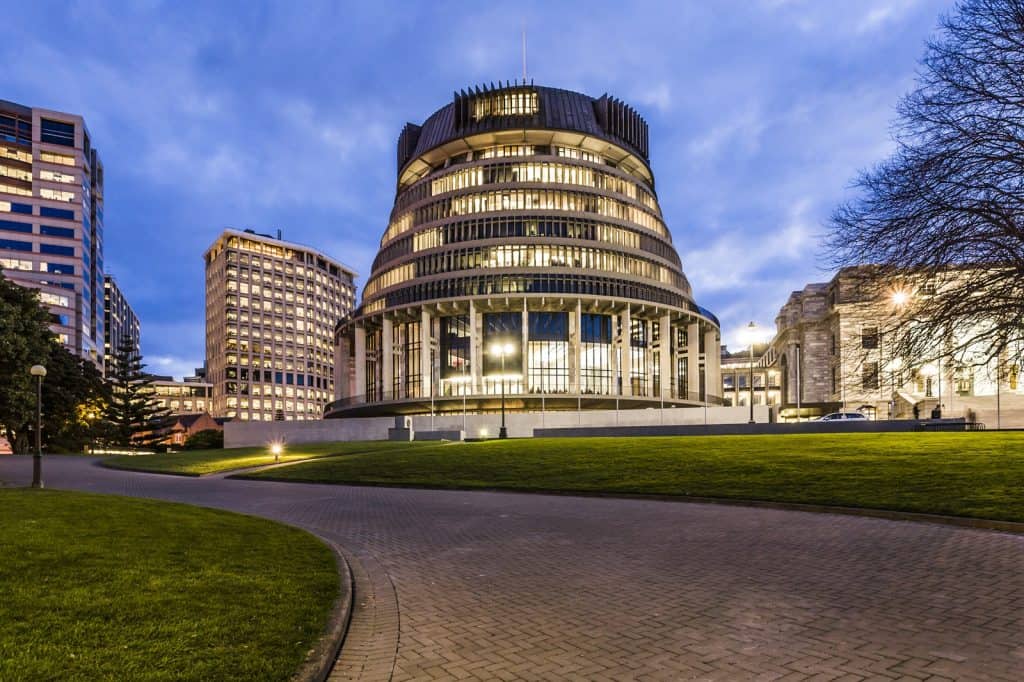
[526, 219]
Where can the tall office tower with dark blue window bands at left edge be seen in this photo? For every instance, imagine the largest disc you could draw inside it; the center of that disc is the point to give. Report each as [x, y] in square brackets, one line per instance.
[52, 215]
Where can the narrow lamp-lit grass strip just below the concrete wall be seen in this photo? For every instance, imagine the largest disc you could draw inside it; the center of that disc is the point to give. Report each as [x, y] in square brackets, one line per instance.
[199, 462]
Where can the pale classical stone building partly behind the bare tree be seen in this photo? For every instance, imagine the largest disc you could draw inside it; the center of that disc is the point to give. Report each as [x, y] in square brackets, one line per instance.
[832, 352]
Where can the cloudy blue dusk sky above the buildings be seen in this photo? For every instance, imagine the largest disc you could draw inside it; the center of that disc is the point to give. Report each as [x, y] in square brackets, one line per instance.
[285, 116]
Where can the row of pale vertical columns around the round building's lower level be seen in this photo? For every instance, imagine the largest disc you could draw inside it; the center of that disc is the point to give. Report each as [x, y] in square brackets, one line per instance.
[621, 363]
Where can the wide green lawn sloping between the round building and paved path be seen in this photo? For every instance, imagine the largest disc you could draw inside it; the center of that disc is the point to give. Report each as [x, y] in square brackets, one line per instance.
[964, 475]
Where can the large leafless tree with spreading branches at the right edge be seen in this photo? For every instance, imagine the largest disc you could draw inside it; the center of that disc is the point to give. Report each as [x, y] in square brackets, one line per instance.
[944, 219]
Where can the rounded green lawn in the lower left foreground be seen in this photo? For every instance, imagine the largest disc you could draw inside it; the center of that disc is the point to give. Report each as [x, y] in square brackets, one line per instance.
[106, 588]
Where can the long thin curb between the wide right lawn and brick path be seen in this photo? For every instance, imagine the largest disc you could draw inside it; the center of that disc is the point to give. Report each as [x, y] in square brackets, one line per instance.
[1015, 528]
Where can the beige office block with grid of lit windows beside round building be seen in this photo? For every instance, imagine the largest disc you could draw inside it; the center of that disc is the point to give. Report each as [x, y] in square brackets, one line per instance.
[272, 308]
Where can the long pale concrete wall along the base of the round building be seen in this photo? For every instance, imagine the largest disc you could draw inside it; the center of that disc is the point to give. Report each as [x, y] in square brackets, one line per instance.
[521, 425]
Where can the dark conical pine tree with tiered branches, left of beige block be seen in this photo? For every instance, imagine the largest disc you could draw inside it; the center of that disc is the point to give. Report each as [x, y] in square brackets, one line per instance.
[135, 415]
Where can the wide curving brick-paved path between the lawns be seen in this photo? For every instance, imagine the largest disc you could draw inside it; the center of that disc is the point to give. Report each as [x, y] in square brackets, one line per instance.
[502, 586]
